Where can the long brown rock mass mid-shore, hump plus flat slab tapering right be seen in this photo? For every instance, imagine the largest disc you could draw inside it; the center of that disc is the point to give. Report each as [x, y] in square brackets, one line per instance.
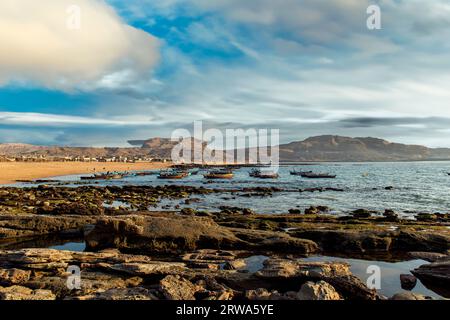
[169, 233]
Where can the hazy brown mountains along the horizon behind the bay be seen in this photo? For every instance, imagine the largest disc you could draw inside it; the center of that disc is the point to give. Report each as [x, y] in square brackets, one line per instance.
[320, 148]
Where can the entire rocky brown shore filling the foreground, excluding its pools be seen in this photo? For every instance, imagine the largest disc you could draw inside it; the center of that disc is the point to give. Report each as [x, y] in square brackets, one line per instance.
[133, 253]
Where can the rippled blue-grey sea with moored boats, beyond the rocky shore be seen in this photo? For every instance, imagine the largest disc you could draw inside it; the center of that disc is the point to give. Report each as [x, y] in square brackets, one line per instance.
[416, 187]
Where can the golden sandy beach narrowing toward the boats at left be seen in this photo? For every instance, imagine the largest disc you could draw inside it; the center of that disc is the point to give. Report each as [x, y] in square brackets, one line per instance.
[13, 171]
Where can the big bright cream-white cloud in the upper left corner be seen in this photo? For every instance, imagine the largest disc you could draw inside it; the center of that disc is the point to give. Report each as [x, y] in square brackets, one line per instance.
[38, 47]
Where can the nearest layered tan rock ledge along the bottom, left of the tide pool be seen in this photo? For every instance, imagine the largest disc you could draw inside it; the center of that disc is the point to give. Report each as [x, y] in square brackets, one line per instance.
[111, 275]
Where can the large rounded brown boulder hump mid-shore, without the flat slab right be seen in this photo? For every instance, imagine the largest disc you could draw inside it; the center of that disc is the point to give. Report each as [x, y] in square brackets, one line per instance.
[159, 234]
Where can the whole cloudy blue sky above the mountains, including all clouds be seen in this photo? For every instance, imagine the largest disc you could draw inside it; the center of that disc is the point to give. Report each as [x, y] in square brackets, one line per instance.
[99, 73]
